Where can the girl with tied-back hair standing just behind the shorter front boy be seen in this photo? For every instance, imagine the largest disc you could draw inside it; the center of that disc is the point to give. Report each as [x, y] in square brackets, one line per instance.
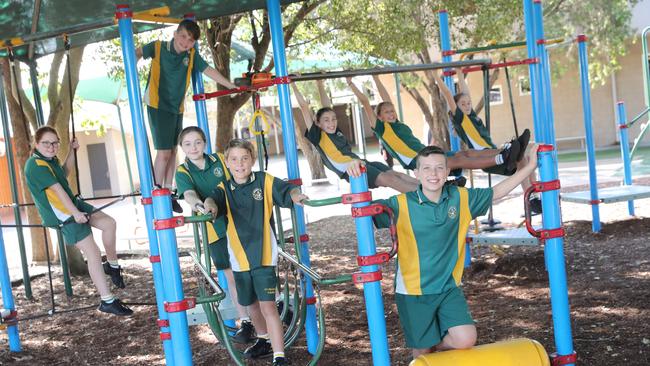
[196, 178]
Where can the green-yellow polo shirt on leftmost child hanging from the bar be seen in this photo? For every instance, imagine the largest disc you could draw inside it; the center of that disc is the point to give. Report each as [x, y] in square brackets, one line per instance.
[334, 148]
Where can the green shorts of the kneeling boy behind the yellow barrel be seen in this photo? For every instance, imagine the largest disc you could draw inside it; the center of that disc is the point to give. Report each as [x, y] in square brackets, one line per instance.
[425, 319]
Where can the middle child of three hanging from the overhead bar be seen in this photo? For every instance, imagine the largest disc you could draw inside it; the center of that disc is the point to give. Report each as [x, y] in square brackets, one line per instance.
[401, 144]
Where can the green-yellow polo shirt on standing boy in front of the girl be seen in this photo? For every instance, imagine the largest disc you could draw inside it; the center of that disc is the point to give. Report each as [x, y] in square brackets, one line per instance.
[248, 209]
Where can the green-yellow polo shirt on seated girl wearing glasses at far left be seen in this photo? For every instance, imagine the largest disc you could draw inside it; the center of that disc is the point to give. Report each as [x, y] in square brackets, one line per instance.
[41, 174]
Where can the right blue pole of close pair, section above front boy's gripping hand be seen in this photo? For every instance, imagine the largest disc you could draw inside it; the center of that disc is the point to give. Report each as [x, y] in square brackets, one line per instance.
[545, 75]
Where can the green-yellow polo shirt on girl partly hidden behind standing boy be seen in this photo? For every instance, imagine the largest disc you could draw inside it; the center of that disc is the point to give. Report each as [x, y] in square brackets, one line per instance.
[189, 177]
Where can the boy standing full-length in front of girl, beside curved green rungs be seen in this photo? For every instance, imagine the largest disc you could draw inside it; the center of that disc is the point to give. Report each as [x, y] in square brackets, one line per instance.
[247, 201]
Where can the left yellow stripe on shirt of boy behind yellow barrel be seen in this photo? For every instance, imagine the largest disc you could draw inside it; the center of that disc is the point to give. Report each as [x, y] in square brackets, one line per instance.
[407, 254]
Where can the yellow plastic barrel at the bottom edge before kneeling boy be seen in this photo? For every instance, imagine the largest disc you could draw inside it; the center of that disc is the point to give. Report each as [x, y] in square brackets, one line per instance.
[515, 352]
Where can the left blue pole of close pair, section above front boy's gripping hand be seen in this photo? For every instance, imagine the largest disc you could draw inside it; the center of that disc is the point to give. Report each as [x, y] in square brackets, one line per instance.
[533, 71]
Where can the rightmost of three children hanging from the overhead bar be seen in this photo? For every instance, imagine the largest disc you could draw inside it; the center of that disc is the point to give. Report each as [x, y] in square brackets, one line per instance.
[470, 128]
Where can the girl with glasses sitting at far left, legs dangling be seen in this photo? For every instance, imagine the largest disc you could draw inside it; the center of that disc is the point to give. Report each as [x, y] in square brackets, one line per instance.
[59, 208]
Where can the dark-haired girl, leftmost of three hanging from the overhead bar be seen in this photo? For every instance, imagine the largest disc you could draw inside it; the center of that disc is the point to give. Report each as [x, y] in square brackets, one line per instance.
[336, 152]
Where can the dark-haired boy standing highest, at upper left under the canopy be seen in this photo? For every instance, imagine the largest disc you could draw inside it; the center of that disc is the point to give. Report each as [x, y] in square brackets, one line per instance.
[170, 74]
